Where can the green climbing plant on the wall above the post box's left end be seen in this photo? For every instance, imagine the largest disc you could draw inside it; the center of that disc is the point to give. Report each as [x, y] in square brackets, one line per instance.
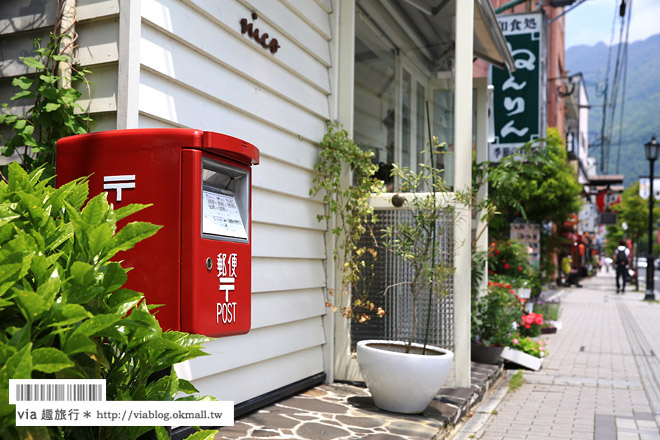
[54, 112]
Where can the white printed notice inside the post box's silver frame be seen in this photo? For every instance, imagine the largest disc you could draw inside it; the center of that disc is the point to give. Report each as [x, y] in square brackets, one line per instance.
[220, 215]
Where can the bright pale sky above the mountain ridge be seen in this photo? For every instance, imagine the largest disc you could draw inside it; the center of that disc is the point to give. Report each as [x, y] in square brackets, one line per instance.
[591, 21]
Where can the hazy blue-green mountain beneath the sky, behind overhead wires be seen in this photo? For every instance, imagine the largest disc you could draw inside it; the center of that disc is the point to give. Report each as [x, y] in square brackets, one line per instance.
[641, 106]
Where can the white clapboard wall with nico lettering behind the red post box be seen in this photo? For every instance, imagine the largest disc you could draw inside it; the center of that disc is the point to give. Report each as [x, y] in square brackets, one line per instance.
[185, 63]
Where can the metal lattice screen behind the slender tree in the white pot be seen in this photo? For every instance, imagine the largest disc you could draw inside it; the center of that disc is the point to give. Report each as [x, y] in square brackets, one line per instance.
[388, 270]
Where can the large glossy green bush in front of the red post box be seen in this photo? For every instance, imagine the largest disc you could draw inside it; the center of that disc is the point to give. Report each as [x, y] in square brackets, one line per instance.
[65, 314]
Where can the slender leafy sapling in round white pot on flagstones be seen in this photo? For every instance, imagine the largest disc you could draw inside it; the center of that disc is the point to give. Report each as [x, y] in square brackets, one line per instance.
[404, 376]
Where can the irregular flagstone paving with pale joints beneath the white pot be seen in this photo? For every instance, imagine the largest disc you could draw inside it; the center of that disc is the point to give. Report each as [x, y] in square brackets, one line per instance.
[346, 411]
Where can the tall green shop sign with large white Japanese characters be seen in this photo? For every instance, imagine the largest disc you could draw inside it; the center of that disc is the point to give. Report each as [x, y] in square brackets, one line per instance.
[519, 98]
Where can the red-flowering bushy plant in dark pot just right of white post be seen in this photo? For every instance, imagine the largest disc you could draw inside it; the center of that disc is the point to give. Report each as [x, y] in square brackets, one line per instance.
[493, 318]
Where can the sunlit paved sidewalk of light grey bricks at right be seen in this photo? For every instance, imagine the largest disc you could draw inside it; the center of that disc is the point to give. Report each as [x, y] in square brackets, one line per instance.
[601, 380]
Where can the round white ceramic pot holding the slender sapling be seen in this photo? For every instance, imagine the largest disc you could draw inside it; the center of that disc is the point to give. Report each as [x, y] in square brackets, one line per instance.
[403, 382]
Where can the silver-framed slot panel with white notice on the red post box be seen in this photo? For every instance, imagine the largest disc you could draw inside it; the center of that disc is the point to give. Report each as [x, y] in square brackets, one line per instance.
[225, 201]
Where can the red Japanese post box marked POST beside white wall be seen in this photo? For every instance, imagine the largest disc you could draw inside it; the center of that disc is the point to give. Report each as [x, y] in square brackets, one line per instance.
[198, 266]
